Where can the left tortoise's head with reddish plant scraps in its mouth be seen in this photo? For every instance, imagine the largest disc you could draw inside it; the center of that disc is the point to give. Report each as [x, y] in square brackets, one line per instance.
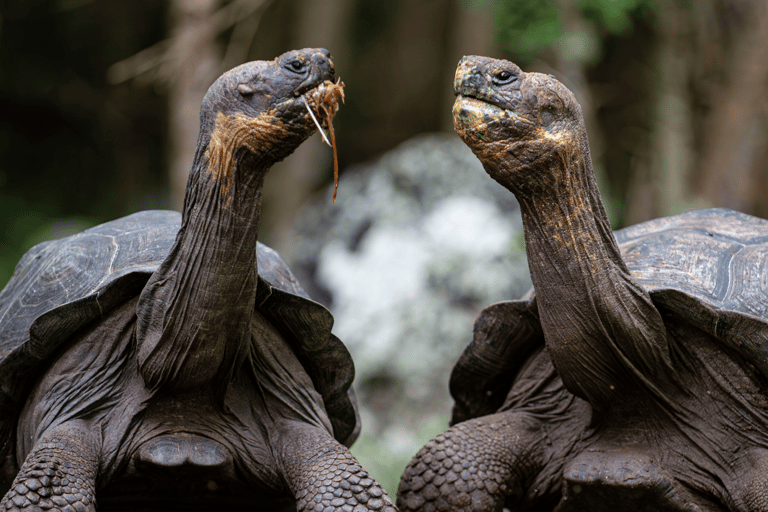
[259, 105]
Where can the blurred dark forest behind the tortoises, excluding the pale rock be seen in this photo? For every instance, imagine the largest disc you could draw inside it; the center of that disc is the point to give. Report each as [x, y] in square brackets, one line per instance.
[99, 98]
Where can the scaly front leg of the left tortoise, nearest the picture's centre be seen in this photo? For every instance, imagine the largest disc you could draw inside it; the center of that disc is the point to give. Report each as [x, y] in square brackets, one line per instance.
[324, 475]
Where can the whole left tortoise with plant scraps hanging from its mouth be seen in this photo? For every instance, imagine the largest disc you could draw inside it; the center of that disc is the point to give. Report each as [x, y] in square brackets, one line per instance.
[165, 361]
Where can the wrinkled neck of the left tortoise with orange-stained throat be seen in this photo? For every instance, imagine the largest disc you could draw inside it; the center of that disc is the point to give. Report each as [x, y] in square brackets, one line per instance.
[194, 314]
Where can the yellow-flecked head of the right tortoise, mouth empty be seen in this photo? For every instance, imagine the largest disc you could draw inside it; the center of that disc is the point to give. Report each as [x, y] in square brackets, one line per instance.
[518, 124]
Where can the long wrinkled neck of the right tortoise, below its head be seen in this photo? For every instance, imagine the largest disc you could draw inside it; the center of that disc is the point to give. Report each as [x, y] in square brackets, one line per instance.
[606, 338]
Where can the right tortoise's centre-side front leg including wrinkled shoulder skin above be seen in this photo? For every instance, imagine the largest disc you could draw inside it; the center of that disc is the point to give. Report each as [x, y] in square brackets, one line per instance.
[513, 458]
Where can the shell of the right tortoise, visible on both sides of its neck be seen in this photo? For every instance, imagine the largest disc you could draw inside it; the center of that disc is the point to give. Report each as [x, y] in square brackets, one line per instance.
[704, 267]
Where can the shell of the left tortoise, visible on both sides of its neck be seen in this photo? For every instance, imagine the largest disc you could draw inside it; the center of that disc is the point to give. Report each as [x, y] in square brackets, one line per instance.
[60, 286]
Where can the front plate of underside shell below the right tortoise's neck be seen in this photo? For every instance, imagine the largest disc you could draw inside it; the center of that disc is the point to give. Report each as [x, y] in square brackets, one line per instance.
[619, 479]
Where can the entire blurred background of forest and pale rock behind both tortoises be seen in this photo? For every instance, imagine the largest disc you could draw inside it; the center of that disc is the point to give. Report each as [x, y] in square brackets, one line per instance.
[98, 118]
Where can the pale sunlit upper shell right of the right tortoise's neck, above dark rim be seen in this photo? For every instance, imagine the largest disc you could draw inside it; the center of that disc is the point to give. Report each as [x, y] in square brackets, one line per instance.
[716, 256]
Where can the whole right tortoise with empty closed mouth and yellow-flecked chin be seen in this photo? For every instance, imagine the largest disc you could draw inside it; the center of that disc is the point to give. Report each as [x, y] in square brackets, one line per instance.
[635, 378]
